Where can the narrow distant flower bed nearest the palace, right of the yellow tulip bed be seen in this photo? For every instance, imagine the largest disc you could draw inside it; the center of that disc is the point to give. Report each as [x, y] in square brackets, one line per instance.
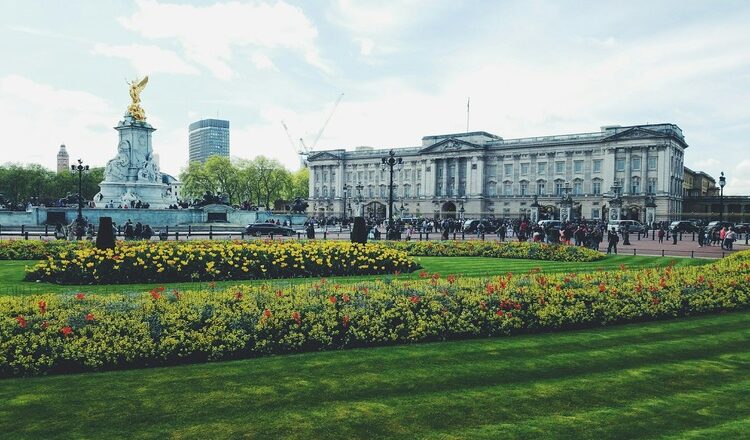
[495, 249]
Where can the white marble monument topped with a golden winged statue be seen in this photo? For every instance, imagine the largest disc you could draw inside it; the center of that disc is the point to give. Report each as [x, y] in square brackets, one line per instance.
[133, 175]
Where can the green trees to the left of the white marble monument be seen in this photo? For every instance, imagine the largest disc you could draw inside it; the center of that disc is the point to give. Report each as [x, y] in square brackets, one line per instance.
[20, 184]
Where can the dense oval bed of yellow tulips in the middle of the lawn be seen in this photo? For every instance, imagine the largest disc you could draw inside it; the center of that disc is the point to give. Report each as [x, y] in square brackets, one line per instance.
[142, 262]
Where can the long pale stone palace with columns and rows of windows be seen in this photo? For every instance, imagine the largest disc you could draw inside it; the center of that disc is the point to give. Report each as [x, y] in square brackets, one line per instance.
[636, 171]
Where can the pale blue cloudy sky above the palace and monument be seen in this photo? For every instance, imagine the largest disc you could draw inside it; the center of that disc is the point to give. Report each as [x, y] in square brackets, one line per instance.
[406, 69]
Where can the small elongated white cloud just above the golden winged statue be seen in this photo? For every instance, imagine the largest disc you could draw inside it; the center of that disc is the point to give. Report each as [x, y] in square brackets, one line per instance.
[147, 60]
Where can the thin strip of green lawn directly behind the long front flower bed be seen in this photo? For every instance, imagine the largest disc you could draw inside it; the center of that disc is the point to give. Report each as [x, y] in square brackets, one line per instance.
[12, 273]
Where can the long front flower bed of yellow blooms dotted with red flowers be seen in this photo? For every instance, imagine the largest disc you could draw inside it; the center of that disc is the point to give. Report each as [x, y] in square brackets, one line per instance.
[56, 333]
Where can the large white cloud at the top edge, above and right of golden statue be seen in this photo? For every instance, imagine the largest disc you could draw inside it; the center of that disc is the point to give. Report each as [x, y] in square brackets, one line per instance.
[209, 35]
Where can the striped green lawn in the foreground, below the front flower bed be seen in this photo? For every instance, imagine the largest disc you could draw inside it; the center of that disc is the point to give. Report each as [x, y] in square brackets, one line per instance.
[687, 378]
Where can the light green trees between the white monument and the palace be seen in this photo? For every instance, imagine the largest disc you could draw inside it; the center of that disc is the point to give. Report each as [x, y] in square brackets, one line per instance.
[259, 182]
